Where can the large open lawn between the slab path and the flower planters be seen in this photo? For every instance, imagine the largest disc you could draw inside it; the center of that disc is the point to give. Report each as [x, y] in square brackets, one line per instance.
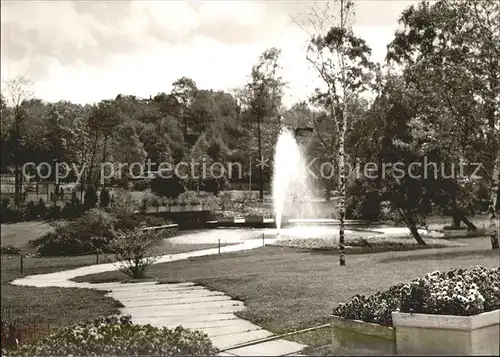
[287, 289]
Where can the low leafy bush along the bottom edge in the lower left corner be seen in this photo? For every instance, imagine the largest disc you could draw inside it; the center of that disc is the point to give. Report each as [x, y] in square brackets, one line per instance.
[118, 336]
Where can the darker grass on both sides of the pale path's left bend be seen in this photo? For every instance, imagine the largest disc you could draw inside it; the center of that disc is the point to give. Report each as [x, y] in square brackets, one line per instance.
[60, 306]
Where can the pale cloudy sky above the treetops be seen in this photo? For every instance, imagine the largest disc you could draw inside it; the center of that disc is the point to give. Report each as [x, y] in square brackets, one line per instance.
[87, 51]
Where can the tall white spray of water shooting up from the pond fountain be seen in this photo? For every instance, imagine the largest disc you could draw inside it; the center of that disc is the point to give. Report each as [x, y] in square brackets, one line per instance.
[292, 186]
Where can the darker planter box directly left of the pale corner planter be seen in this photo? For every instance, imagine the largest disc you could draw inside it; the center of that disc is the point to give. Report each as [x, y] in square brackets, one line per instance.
[361, 338]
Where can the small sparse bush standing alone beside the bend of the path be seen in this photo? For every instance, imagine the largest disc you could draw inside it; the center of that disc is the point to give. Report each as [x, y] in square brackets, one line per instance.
[133, 250]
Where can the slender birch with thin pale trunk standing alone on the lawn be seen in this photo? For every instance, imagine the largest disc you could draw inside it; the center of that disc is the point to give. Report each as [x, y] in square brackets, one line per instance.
[341, 60]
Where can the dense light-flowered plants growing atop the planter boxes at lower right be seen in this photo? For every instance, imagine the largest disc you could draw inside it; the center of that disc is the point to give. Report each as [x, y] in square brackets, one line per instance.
[456, 292]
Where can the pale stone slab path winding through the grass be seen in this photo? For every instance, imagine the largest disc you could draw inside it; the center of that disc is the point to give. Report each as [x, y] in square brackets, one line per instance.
[186, 304]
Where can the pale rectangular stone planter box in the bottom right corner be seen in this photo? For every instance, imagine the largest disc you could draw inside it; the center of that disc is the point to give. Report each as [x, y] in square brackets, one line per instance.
[421, 334]
